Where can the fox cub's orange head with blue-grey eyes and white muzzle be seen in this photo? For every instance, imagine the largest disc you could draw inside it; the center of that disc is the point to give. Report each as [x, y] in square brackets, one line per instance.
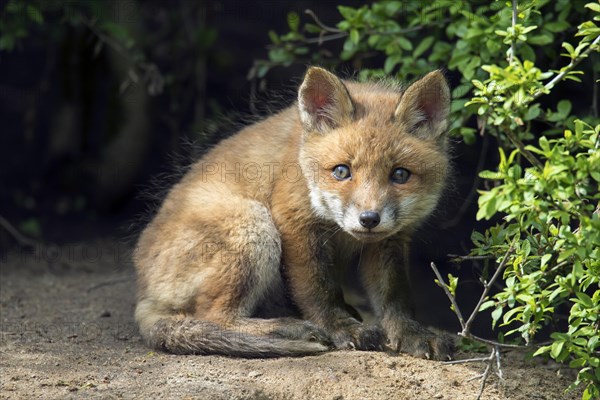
[374, 156]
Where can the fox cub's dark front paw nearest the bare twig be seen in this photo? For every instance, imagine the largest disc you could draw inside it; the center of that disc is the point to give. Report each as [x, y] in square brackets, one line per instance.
[414, 339]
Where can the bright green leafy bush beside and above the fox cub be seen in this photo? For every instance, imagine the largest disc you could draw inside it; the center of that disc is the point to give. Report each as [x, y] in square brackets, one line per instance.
[544, 193]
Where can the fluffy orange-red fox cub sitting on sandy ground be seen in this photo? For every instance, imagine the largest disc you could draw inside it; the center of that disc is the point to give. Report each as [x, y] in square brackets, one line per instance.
[269, 224]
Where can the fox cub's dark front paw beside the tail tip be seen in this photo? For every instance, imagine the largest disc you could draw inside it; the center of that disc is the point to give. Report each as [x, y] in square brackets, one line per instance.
[352, 334]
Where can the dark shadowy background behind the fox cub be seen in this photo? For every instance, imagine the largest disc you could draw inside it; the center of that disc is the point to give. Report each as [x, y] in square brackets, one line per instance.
[81, 158]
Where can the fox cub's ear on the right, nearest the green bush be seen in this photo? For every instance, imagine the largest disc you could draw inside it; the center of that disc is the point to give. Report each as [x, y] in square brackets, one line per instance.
[424, 107]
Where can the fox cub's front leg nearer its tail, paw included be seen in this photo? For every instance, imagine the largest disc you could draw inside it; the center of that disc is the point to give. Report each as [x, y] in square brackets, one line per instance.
[308, 268]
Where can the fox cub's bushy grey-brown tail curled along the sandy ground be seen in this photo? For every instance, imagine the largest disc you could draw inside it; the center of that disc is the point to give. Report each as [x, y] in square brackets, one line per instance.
[191, 336]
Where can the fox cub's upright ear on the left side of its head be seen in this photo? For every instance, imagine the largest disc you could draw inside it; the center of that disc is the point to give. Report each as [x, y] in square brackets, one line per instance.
[323, 101]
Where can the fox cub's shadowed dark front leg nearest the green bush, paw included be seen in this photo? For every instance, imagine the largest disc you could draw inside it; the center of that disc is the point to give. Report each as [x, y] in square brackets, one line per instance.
[384, 267]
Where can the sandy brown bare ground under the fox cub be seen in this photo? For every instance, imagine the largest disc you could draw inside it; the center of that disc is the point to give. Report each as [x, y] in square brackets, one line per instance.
[67, 332]
